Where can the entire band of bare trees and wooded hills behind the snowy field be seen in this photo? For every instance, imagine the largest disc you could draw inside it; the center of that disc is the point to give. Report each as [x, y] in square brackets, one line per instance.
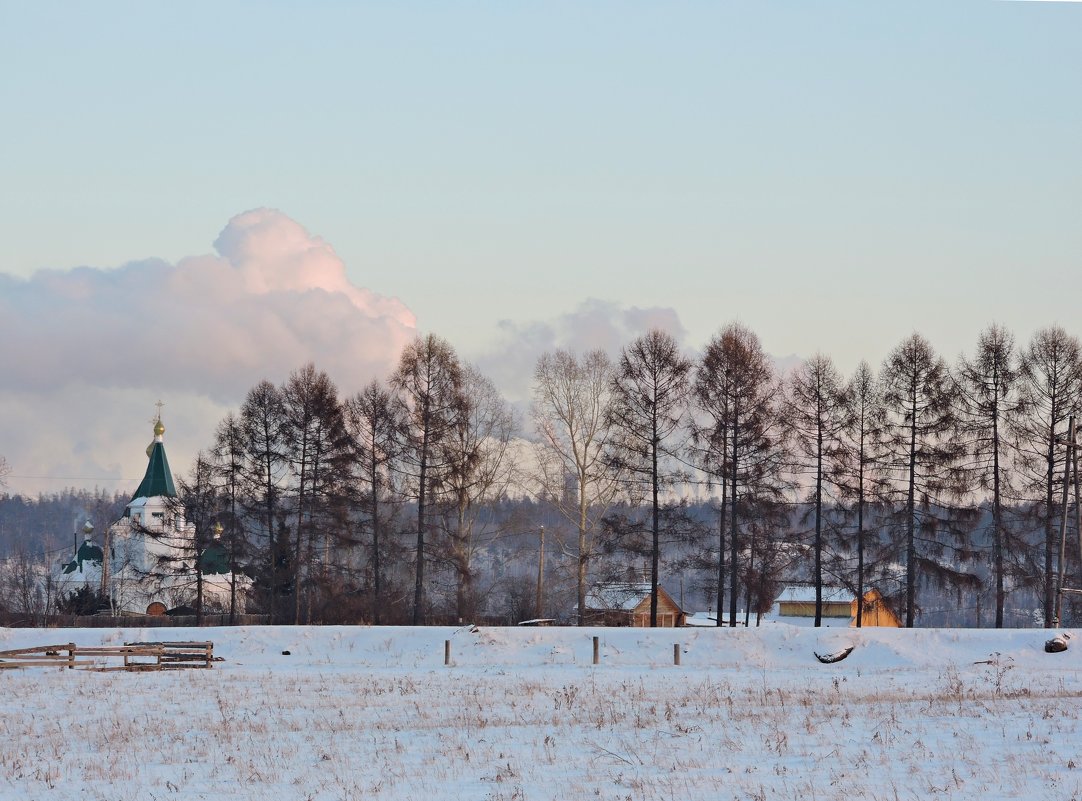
[426, 500]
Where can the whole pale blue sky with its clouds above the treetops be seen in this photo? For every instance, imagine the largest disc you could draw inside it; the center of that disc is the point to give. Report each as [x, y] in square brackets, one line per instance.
[197, 196]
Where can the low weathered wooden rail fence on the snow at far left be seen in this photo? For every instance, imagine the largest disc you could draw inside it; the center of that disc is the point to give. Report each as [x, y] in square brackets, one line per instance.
[135, 656]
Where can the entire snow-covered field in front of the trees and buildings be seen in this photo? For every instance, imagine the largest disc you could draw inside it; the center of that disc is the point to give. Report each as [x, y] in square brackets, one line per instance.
[523, 714]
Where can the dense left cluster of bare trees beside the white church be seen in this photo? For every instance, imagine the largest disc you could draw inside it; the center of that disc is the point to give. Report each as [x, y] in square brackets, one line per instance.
[309, 489]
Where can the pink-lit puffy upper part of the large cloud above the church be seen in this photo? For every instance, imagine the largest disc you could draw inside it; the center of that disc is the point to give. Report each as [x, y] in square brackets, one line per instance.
[273, 298]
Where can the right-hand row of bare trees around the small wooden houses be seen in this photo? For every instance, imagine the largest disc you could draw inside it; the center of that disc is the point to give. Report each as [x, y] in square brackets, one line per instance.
[920, 476]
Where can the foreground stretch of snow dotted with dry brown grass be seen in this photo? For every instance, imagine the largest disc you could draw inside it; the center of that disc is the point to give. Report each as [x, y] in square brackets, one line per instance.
[983, 732]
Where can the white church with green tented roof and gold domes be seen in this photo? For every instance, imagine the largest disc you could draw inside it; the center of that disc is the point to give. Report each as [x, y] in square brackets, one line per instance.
[149, 561]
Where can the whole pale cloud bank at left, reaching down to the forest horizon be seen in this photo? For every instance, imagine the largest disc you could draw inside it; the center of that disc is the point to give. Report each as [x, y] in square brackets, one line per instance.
[88, 351]
